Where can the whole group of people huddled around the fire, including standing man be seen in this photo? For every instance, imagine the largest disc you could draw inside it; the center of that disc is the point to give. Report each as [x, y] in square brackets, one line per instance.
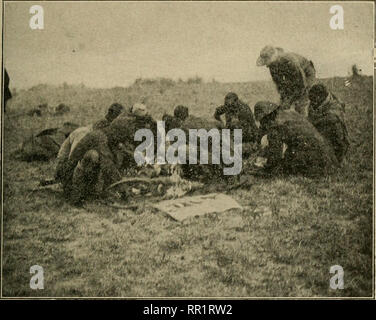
[305, 133]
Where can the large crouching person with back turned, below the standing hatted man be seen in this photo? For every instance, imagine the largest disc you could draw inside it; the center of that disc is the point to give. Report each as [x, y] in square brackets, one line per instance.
[307, 153]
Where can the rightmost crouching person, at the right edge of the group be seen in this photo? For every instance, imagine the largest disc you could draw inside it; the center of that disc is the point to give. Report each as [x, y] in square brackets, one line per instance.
[326, 113]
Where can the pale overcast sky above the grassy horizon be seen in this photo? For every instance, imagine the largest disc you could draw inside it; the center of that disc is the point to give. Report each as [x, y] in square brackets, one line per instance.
[110, 44]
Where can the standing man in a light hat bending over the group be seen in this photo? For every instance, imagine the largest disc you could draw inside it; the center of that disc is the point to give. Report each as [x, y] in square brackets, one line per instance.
[292, 74]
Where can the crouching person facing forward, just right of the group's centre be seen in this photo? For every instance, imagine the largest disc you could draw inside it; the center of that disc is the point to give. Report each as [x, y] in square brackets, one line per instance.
[238, 115]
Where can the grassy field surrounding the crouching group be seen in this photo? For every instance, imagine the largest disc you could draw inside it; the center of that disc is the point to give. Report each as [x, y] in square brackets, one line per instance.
[283, 244]
